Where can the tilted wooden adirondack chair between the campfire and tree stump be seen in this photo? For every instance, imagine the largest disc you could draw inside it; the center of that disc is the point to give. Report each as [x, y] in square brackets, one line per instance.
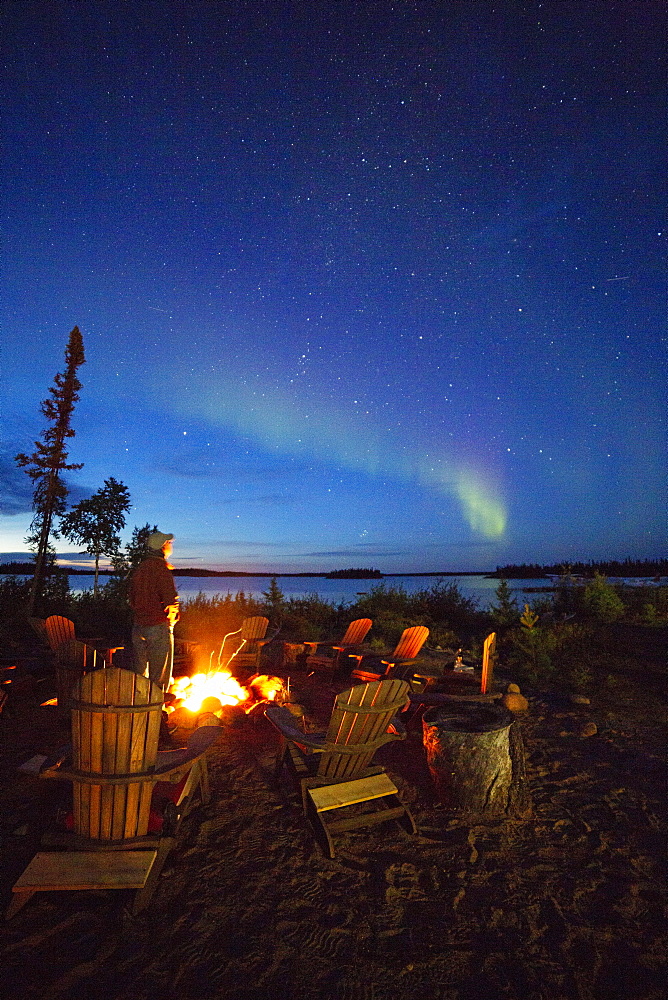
[335, 769]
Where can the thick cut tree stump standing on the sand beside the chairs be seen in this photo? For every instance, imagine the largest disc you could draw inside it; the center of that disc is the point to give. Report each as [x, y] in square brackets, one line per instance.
[475, 755]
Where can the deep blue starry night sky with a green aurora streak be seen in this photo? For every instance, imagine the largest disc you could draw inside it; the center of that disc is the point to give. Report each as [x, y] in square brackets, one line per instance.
[360, 284]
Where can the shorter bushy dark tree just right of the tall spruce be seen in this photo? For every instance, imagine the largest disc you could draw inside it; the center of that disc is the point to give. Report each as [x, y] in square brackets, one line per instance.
[95, 522]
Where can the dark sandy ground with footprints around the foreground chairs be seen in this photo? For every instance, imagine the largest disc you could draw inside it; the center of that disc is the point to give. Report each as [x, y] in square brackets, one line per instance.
[566, 904]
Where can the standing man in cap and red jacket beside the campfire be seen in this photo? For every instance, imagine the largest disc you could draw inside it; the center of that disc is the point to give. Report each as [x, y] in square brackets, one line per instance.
[155, 608]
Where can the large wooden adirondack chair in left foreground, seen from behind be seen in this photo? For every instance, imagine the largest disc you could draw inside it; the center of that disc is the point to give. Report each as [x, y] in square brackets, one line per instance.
[115, 769]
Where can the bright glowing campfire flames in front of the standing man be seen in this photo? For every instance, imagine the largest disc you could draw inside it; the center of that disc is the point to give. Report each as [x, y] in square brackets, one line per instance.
[217, 691]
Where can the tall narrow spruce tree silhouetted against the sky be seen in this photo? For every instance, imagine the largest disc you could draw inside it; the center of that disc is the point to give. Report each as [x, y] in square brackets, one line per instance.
[49, 460]
